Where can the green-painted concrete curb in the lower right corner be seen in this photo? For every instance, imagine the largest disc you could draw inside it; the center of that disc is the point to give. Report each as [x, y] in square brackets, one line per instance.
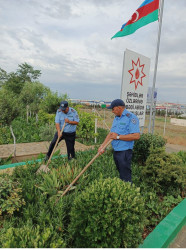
[167, 229]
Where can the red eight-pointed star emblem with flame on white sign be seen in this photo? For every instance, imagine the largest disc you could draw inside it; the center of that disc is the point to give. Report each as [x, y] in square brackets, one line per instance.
[137, 73]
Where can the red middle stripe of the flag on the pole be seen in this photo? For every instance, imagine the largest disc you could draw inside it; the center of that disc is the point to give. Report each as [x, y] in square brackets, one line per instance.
[144, 11]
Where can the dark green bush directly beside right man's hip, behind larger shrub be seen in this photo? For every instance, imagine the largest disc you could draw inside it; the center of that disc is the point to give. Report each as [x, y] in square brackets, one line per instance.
[142, 146]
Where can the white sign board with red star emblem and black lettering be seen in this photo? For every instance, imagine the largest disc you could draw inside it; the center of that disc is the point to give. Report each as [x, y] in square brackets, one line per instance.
[134, 85]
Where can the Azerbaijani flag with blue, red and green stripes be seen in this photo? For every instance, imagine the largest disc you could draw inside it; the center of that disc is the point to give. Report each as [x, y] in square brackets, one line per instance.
[145, 14]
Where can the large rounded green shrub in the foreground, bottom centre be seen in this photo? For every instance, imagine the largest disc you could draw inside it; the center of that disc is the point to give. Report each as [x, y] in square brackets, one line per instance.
[109, 213]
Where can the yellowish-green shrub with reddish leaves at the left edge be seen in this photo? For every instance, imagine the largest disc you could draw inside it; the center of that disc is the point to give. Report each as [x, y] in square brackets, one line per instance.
[10, 196]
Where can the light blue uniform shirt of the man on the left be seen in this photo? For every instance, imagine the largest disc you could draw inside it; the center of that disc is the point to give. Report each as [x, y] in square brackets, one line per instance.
[72, 115]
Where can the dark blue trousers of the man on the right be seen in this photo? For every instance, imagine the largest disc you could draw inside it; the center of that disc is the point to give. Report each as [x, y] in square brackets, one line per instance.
[123, 163]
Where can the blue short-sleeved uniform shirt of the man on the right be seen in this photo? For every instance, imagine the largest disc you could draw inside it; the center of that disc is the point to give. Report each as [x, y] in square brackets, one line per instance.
[127, 123]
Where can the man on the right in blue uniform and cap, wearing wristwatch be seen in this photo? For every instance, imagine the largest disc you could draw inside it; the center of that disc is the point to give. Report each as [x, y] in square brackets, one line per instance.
[125, 129]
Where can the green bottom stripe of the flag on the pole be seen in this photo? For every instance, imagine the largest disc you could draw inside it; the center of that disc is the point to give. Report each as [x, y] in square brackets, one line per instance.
[131, 28]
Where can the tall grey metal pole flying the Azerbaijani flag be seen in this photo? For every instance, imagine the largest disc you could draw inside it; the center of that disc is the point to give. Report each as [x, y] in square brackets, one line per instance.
[156, 64]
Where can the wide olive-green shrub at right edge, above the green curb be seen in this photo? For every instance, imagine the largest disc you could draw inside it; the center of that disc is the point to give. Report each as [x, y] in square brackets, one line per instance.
[164, 172]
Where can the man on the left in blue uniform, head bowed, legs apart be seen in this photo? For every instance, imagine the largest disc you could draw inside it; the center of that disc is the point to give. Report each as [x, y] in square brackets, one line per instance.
[70, 117]
